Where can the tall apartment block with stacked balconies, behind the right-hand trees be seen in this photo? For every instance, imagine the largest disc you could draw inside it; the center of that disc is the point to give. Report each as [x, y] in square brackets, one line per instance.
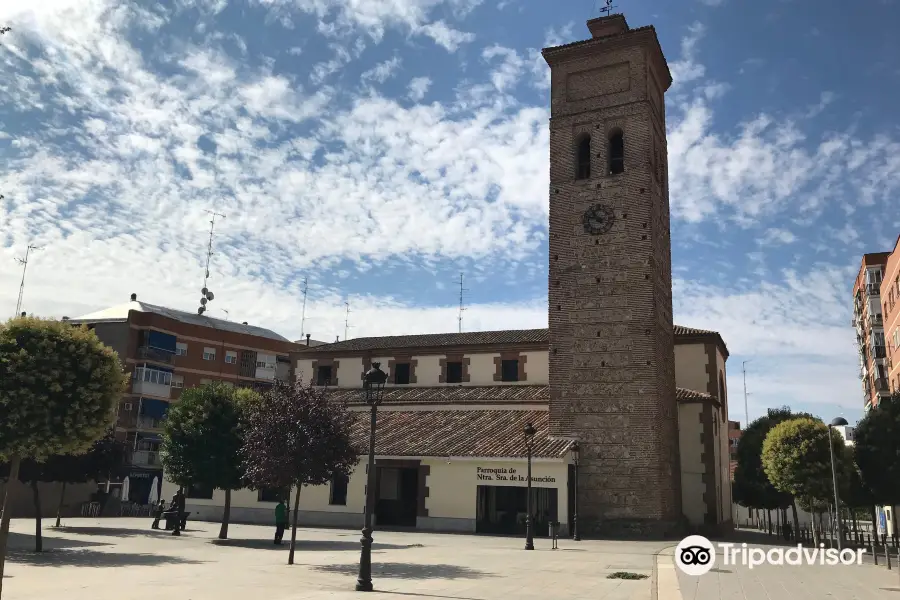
[868, 319]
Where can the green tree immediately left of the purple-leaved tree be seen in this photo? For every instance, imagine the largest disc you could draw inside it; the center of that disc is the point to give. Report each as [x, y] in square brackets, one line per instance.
[202, 439]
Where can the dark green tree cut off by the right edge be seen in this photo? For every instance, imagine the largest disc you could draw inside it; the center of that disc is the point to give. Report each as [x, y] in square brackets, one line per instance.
[877, 448]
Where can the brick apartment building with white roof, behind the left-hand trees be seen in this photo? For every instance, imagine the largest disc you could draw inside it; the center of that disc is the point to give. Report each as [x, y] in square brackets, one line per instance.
[166, 351]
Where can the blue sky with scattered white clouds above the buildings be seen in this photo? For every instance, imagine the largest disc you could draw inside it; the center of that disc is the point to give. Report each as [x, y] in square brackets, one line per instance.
[377, 149]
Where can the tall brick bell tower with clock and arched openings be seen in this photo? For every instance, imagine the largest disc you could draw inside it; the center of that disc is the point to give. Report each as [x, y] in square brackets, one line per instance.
[612, 363]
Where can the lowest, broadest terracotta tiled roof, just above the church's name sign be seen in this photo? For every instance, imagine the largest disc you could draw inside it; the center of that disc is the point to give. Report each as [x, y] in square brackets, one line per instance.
[460, 433]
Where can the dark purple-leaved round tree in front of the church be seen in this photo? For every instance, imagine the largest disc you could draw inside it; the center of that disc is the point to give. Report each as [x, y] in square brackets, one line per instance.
[295, 436]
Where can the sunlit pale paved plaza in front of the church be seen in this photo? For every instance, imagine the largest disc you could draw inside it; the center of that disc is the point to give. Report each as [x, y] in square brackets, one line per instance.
[94, 559]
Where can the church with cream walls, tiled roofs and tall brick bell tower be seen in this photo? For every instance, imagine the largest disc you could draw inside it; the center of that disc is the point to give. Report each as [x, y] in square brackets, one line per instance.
[644, 399]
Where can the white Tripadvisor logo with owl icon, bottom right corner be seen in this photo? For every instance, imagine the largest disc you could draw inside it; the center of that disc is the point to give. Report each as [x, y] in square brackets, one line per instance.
[695, 555]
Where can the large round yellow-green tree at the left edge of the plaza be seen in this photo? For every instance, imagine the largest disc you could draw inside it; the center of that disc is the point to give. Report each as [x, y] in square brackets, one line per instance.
[59, 386]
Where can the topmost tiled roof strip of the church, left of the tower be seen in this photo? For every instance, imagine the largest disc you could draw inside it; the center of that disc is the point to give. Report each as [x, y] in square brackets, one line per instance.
[473, 338]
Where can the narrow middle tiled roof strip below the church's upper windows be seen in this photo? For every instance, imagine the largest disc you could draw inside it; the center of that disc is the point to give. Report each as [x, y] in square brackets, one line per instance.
[489, 394]
